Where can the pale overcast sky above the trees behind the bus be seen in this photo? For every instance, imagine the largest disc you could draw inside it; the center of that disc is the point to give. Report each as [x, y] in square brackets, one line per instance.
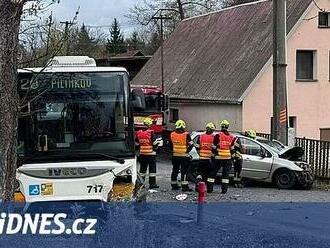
[95, 12]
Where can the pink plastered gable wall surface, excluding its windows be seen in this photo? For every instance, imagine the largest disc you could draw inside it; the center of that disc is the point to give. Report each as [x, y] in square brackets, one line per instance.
[308, 101]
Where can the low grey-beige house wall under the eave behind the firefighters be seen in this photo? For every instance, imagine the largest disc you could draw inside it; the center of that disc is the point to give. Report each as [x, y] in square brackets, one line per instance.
[197, 115]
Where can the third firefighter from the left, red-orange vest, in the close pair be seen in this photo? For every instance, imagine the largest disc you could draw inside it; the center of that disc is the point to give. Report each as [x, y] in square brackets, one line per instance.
[204, 148]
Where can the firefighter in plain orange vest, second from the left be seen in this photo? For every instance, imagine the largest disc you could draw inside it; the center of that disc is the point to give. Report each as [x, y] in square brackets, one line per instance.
[181, 144]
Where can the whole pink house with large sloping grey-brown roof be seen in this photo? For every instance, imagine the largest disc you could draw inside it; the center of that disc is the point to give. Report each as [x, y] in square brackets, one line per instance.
[219, 66]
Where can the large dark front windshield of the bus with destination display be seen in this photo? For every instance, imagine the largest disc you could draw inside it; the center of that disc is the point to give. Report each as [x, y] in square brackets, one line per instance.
[75, 113]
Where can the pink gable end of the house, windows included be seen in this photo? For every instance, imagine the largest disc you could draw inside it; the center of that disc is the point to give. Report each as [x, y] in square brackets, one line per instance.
[308, 79]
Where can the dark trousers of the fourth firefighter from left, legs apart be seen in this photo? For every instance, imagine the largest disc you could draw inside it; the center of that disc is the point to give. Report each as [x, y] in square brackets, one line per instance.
[226, 165]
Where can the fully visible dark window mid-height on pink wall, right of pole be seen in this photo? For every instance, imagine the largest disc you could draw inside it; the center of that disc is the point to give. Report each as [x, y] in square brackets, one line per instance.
[306, 65]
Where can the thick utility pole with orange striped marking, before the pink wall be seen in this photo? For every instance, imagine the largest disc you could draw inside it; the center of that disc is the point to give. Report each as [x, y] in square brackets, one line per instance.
[280, 110]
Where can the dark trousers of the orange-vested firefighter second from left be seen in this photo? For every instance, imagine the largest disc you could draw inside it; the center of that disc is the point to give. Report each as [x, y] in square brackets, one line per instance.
[180, 164]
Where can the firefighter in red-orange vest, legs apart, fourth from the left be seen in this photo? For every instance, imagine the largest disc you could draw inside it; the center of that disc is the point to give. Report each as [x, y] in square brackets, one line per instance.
[222, 144]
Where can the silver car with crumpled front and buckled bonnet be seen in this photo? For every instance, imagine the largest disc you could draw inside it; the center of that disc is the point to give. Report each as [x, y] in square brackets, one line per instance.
[264, 161]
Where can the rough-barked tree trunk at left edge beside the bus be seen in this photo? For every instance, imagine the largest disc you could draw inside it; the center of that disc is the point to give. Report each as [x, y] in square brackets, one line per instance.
[11, 12]
